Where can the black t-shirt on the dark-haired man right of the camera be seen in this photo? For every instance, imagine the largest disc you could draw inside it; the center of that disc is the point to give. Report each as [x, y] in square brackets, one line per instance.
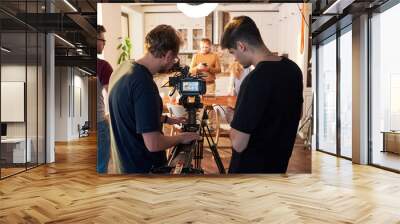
[268, 108]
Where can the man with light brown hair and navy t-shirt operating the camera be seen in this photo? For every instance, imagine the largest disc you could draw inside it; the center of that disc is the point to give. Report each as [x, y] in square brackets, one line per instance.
[138, 144]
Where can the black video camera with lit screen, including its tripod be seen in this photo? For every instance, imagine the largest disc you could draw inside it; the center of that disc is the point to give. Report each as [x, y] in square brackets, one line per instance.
[190, 88]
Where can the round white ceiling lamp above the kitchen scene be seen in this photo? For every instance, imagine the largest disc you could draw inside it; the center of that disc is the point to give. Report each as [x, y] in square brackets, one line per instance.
[196, 10]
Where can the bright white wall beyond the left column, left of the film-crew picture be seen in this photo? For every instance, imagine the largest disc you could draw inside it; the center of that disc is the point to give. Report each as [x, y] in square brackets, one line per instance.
[69, 85]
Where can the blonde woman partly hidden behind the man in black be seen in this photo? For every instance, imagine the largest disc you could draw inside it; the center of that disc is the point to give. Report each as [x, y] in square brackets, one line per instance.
[237, 75]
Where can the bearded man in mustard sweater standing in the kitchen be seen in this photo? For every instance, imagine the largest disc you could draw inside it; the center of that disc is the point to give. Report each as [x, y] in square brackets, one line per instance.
[206, 62]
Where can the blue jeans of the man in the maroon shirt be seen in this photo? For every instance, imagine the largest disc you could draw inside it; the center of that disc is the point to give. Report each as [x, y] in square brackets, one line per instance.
[103, 146]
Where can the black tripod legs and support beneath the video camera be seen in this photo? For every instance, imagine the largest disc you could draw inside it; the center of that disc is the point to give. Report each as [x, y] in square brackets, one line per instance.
[182, 155]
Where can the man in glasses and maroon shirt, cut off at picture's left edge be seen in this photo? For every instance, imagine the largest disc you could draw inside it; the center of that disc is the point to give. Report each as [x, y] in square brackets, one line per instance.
[104, 71]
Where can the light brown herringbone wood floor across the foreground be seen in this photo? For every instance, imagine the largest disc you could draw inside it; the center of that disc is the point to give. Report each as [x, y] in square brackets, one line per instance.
[70, 191]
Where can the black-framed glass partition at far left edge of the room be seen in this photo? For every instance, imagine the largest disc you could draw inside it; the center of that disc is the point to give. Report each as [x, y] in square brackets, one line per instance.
[22, 69]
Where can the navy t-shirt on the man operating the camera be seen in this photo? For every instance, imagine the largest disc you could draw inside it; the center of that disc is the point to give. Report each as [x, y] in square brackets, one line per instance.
[135, 108]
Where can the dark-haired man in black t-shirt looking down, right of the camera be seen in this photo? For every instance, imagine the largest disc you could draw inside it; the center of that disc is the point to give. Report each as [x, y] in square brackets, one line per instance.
[268, 108]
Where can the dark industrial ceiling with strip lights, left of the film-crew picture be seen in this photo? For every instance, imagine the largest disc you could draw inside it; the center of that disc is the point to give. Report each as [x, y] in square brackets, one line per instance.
[74, 22]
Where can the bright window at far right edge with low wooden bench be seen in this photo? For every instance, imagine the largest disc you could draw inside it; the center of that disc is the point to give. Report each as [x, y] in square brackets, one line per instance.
[385, 89]
